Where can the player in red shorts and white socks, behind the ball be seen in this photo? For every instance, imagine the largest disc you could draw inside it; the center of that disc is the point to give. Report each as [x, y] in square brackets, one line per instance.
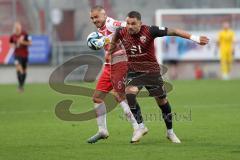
[112, 76]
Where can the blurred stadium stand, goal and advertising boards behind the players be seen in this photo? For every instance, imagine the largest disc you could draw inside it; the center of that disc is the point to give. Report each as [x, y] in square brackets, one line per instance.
[59, 29]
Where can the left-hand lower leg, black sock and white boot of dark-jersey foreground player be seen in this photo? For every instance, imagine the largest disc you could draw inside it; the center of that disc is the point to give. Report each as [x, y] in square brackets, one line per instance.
[131, 93]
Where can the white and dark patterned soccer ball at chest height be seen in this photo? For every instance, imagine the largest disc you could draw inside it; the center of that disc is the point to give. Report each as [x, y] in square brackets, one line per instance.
[95, 40]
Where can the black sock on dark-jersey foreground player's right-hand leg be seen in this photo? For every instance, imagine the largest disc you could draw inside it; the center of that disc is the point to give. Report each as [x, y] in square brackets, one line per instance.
[167, 115]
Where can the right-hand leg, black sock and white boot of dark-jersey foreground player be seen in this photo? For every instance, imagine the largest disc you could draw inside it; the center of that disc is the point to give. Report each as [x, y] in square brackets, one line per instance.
[167, 116]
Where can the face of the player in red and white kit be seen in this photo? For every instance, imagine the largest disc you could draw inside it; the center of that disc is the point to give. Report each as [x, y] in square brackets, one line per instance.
[98, 18]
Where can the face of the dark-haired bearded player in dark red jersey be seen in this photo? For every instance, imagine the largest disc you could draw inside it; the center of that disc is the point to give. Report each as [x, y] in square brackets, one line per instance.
[133, 25]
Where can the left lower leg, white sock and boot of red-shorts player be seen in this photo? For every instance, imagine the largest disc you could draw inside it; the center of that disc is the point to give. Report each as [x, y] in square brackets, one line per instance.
[99, 105]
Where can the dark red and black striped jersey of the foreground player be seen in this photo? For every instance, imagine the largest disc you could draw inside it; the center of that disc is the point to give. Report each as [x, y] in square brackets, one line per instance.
[140, 47]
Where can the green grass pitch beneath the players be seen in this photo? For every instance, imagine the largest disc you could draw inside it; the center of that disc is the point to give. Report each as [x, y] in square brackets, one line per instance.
[207, 122]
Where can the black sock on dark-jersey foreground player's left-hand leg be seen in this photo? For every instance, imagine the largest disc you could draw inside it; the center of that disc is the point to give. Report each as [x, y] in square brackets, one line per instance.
[134, 107]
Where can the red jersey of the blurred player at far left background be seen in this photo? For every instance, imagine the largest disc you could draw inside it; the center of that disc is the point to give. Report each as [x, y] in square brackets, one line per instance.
[20, 50]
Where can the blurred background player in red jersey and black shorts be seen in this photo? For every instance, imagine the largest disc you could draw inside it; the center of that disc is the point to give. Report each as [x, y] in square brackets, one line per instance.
[20, 41]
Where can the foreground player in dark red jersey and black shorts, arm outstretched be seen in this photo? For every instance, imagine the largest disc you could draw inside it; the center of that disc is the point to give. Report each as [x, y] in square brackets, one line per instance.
[143, 68]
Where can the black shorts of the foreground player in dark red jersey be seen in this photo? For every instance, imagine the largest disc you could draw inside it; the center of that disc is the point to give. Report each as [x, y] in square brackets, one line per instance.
[153, 82]
